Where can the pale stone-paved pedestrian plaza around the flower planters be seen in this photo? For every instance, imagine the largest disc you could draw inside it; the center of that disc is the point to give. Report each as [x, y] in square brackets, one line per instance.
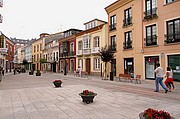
[23, 96]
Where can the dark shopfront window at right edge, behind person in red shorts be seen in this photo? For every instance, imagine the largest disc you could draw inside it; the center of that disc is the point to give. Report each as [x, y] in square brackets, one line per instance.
[174, 63]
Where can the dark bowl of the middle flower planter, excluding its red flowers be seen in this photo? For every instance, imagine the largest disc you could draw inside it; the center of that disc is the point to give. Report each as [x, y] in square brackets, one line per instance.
[87, 98]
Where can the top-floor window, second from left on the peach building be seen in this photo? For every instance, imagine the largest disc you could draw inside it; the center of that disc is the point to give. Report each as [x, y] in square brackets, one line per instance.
[127, 17]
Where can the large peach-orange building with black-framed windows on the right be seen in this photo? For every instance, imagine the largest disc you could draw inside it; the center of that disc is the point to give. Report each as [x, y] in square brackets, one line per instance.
[146, 32]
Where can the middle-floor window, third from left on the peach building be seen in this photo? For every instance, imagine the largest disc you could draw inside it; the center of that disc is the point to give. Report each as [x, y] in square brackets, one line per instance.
[151, 37]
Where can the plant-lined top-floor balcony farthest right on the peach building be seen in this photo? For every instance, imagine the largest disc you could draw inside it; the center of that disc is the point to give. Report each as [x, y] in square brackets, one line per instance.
[150, 14]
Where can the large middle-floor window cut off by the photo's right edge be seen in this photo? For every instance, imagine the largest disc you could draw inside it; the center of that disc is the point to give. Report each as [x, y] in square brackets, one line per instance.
[173, 31]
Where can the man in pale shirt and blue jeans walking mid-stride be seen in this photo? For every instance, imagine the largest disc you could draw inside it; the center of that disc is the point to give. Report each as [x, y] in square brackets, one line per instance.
[159, 78]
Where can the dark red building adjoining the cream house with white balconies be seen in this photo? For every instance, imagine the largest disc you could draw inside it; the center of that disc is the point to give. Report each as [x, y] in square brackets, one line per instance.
[67, 51]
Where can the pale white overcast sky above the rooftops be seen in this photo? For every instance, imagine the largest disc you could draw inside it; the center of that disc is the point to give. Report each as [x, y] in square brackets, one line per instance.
[27, 19]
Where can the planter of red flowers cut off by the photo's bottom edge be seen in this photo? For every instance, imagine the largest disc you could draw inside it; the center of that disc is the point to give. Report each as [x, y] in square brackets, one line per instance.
[155, 114]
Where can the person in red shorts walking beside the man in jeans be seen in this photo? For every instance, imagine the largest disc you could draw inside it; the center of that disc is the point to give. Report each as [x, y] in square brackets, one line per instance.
[169, 80]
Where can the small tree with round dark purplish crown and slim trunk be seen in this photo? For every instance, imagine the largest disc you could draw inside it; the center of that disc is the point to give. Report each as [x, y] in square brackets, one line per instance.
[106, 56]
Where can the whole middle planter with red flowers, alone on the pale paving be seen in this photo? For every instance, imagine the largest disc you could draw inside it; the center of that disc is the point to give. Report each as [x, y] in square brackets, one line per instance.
[87, 96]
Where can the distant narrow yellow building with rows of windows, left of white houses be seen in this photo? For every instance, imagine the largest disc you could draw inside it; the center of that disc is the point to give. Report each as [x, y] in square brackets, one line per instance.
[37, 47]
